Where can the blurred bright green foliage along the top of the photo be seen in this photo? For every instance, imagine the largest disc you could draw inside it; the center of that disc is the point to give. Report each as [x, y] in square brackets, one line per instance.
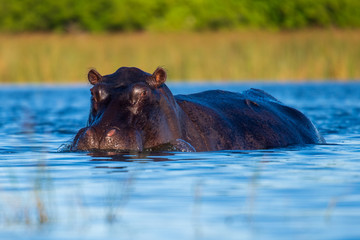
[173, 15]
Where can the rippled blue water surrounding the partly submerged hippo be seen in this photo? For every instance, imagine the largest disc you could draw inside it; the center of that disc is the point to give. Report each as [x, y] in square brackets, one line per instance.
[310, 192]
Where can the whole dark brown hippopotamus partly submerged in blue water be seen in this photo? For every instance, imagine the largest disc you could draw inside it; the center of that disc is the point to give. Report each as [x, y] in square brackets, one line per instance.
[132, 110]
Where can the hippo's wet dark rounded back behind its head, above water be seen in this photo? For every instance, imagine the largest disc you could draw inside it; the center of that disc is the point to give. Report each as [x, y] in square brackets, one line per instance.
[249, 120]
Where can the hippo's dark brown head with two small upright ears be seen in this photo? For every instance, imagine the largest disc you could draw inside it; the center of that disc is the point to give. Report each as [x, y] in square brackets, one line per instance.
[131, 110]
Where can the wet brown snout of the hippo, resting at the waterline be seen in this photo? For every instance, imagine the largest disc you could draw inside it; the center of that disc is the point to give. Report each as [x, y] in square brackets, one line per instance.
[114, 138]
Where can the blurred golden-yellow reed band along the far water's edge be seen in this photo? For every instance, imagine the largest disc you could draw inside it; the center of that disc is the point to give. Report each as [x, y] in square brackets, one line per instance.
[241, 55]
